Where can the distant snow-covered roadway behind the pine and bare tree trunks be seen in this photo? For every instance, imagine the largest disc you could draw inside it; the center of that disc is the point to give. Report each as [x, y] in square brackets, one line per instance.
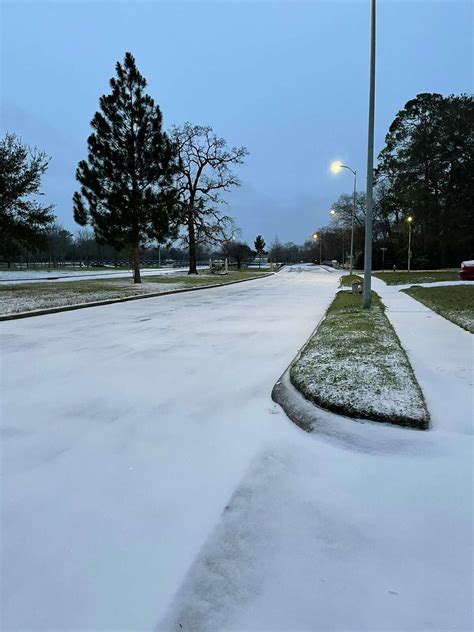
[31, 276]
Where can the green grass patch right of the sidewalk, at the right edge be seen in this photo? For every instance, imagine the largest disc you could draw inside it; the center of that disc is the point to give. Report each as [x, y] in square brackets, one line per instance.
[453, 302]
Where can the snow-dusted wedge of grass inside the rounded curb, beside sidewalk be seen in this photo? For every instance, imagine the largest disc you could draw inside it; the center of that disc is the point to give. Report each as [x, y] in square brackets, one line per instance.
[354, 365]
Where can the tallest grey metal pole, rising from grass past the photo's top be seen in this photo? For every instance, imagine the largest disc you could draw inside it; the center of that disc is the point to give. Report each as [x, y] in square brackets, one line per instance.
[370, 166]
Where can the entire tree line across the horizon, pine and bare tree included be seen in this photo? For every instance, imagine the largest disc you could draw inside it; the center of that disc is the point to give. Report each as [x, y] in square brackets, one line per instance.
[141, 187]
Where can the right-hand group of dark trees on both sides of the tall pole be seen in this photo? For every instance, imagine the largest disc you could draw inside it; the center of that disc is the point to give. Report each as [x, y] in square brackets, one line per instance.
[424, 172]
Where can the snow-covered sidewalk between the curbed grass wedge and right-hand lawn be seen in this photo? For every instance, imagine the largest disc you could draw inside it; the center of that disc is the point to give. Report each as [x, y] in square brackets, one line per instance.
[442, 356]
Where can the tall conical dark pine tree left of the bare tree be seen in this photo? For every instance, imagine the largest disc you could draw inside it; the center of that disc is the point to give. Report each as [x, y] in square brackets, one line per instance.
[127, 182]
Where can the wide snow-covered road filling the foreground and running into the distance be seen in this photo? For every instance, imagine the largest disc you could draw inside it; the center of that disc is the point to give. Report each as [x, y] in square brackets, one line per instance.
[150, 483]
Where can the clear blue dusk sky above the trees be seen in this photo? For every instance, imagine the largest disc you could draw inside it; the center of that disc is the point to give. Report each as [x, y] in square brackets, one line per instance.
[287, 79]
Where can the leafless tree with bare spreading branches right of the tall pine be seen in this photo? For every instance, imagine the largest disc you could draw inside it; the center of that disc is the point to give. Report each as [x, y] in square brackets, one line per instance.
[204, 173]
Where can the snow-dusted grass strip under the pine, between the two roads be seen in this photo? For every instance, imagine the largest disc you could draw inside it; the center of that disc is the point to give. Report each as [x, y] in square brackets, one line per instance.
[26, 297]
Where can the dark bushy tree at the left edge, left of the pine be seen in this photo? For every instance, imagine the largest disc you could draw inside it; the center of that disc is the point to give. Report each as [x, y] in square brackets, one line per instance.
[23, 220]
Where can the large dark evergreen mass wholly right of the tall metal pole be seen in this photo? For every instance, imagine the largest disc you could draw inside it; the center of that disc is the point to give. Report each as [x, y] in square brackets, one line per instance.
[426, 172]
